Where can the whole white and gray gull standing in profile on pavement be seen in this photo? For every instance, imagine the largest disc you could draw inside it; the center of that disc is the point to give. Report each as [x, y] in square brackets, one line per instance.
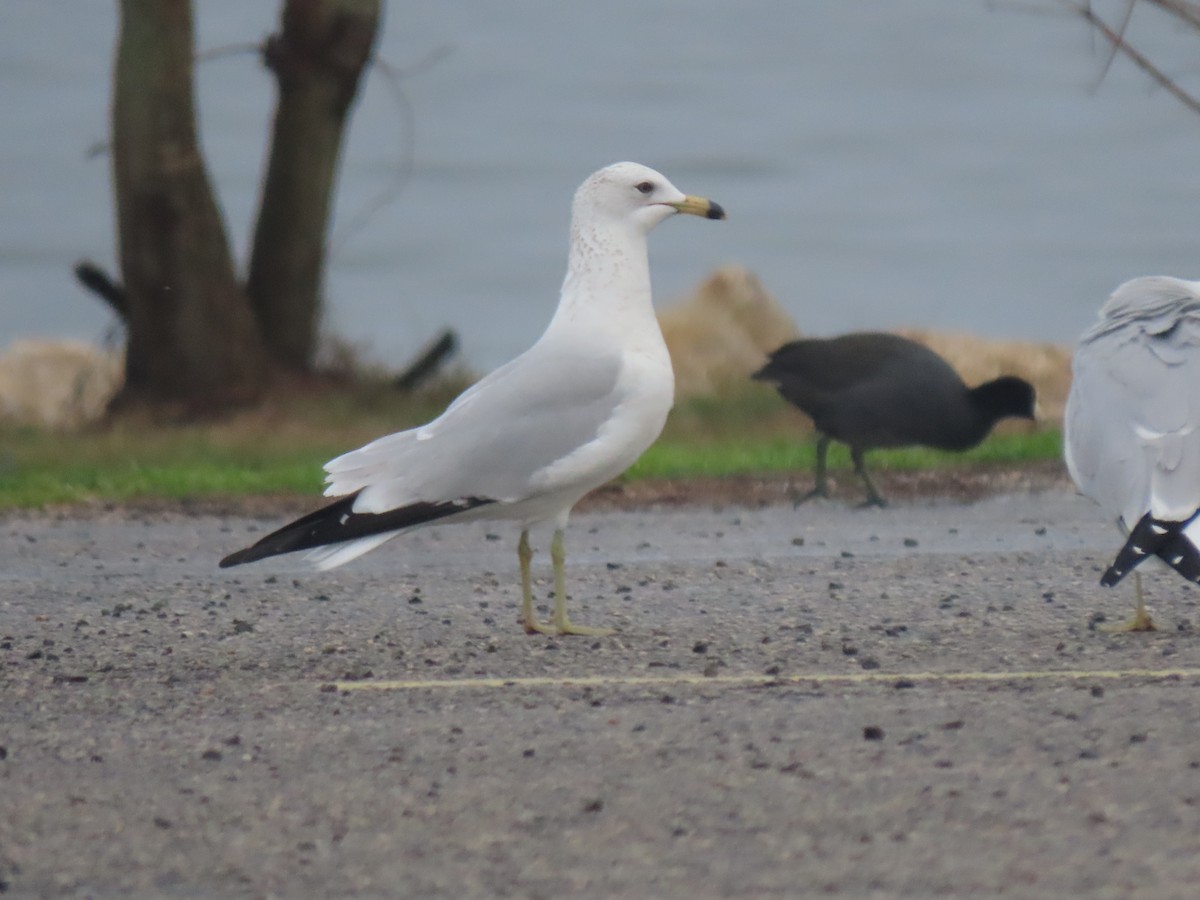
[529, 441]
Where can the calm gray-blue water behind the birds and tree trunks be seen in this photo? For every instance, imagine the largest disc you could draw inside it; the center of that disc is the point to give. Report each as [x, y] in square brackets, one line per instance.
[885, 163]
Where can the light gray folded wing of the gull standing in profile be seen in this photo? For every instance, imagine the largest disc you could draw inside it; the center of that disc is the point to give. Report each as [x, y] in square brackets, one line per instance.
[495, 440]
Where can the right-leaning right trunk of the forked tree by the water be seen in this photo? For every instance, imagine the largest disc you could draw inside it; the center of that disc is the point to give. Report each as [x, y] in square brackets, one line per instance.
[317, 58]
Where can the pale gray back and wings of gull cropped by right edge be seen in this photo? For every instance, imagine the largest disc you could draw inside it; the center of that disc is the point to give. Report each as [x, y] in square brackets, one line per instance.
[1132, 441]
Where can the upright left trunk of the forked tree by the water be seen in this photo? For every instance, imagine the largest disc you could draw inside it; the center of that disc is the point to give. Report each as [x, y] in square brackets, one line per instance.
[193, 339]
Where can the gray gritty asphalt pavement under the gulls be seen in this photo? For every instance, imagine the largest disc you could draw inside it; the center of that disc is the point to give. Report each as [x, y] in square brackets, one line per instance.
[919, 701]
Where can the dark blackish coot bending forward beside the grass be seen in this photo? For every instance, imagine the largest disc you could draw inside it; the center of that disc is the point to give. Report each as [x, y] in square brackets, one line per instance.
[872, 391]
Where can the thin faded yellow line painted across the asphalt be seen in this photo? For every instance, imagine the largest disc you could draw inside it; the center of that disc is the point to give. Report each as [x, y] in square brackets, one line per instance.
[686, 679]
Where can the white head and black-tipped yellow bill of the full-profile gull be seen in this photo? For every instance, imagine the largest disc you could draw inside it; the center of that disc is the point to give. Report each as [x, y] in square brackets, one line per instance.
[632, 194]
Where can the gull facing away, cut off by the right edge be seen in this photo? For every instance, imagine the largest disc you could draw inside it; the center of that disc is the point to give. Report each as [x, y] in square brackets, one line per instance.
[1131, 439]
